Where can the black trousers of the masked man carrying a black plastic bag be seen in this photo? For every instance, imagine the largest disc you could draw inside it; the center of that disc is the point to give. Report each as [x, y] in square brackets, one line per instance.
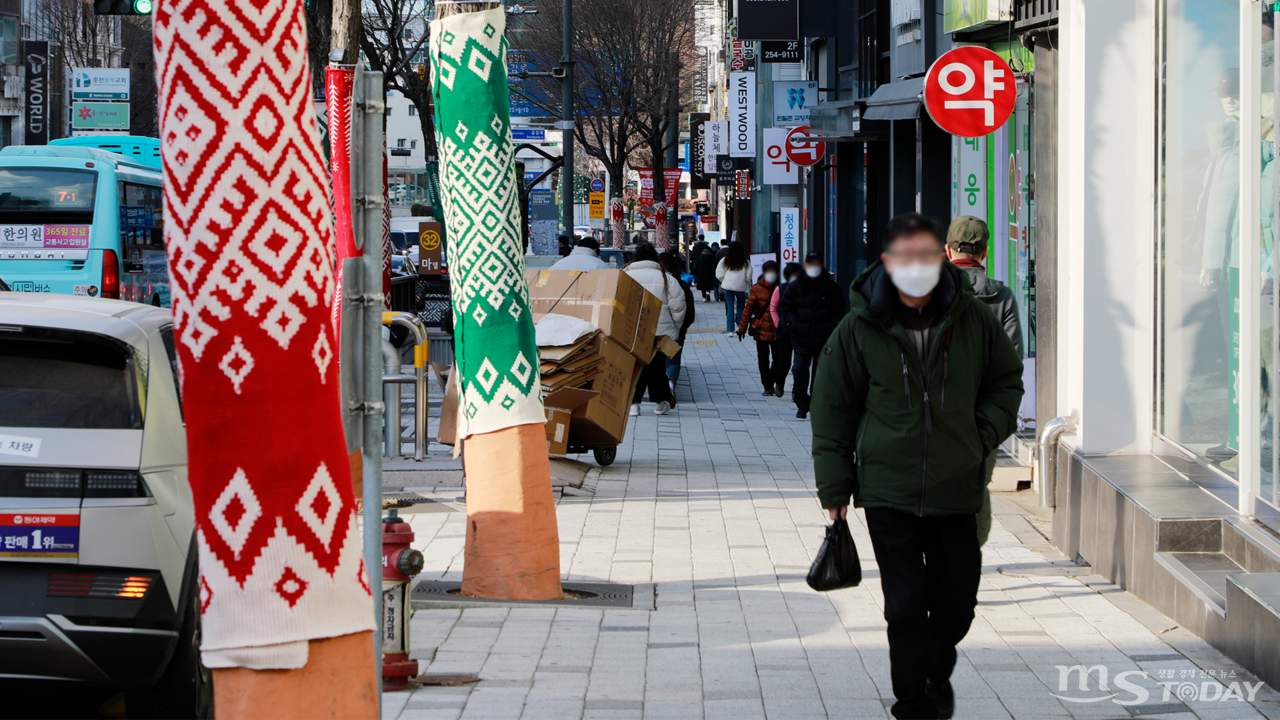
[930, 569]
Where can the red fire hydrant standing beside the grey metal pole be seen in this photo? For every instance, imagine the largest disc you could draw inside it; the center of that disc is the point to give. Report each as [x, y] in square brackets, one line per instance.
[400, 564]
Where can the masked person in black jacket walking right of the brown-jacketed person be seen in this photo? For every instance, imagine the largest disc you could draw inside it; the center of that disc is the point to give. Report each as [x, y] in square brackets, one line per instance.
[812, 308]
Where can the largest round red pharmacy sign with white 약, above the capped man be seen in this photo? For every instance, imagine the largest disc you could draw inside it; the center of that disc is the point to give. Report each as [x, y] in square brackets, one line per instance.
[971, 92]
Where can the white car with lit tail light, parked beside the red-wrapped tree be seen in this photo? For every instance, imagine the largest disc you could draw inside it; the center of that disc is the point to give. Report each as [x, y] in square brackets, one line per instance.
[98, 552]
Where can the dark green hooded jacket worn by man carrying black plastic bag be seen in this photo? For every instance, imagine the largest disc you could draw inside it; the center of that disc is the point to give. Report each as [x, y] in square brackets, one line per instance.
[897, 431]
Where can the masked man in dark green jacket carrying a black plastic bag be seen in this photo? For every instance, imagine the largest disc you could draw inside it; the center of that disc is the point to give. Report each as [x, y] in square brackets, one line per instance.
[917, 386]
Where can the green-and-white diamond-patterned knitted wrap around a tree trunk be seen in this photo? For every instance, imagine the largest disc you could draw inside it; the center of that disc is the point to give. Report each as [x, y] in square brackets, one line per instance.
[495, 345]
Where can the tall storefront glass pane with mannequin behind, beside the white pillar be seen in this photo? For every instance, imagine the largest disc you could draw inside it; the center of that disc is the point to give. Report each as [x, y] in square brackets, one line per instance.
[1200, 190]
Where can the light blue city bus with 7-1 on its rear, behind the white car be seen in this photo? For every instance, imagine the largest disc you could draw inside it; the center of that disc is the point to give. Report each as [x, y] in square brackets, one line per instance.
[85, 216]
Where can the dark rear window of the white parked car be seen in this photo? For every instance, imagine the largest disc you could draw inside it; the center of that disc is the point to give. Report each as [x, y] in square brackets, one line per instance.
[70, 380]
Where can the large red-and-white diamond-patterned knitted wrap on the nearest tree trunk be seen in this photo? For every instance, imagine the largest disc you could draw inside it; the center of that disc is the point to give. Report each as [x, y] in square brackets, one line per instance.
[249, 236]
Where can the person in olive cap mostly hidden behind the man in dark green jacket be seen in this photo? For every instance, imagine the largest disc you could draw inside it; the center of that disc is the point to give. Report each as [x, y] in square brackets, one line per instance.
[967, 249]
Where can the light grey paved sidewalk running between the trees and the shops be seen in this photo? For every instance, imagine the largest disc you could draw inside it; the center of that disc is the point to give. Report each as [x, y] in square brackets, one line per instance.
[715, 504]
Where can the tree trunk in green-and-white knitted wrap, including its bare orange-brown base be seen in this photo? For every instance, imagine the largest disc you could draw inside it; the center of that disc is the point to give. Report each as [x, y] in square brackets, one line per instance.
[513, 545]
